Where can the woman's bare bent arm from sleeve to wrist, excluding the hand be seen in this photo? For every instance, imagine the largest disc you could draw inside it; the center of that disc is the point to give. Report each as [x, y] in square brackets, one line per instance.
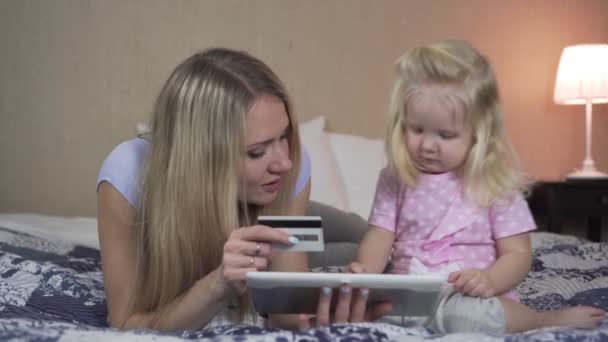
[117, 238]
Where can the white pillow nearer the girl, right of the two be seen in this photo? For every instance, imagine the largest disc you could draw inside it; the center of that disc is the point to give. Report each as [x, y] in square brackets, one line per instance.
[359, 161]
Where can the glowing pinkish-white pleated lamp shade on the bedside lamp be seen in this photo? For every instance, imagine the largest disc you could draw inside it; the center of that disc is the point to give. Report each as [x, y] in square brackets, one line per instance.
[582, 75]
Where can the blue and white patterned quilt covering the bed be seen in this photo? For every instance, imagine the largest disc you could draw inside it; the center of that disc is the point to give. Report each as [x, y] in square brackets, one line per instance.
[53, 290]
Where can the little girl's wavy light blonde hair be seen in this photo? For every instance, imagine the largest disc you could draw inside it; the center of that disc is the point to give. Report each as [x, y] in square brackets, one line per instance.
[492, 168]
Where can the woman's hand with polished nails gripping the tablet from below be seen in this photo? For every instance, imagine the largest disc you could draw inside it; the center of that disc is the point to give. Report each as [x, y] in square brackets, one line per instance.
[351, 307]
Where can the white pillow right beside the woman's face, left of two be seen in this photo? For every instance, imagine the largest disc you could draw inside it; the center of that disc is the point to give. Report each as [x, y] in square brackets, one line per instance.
[327, 186]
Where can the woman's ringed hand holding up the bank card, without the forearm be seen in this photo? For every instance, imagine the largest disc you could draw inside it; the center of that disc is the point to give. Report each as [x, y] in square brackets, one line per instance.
[249, 249]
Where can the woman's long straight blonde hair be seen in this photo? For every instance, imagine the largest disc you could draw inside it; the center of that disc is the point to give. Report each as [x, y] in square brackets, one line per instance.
[192, 176]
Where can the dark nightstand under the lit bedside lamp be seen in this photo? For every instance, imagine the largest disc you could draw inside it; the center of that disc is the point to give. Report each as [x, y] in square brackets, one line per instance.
[580, 199]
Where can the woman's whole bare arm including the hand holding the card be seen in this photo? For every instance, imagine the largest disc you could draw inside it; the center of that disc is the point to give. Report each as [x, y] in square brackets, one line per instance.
[198, 305]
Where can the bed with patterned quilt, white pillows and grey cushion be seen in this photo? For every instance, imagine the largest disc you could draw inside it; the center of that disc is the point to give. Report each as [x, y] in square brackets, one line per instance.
[51, 284]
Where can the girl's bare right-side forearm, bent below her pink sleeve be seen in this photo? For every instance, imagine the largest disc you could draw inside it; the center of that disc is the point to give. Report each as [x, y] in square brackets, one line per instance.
[513, 262]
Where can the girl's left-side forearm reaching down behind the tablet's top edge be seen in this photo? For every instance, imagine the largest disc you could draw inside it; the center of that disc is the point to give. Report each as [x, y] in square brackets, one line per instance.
[374, 250]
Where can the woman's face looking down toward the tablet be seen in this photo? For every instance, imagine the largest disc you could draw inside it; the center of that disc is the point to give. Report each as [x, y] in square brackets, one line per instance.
[266, 151]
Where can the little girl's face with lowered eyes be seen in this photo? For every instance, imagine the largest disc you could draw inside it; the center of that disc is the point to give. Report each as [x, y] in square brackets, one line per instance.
[437, 136]
